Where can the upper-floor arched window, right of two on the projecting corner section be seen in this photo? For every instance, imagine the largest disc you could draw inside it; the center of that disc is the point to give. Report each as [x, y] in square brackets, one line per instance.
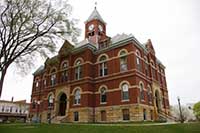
[123, 61]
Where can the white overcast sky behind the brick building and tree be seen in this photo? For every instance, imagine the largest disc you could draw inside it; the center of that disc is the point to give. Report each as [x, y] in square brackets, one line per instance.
[172, 25]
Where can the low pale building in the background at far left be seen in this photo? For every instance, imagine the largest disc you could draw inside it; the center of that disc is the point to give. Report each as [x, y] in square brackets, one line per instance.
[13, 110]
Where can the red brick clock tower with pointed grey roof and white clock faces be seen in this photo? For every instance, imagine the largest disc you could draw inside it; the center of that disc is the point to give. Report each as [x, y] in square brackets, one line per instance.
[95, 29]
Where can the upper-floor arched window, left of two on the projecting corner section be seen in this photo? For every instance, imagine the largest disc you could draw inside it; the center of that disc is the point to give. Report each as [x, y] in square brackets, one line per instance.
[103, 66]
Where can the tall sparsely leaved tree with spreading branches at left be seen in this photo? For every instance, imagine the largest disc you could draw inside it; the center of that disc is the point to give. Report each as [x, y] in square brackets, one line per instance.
[29, 28]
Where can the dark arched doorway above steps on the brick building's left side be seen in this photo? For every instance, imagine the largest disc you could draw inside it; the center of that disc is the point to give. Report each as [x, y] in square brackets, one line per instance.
[62, 104]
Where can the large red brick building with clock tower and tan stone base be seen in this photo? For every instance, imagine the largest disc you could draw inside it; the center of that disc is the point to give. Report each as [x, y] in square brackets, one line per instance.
[101, 79]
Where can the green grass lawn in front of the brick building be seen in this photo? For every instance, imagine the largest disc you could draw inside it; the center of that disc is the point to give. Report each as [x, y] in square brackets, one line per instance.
[95, 128]
